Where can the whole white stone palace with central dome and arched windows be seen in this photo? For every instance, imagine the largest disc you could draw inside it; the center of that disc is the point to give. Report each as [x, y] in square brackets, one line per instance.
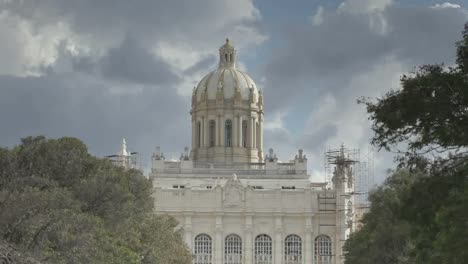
[236, 205]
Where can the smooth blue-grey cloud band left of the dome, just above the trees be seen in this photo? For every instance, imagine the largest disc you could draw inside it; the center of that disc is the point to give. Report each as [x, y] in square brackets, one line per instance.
[80, 105]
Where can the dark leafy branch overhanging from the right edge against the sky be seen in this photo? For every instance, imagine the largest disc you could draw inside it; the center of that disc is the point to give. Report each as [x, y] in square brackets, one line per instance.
[429, 113]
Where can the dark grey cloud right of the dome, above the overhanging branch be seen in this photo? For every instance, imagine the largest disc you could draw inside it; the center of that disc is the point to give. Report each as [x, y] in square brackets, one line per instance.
[323, 58]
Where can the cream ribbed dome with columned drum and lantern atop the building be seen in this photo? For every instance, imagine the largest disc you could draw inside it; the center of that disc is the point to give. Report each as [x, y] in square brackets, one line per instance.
[227, 114]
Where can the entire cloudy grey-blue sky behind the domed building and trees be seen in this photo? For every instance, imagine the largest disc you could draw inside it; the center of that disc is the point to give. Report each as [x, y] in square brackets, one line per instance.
[103, 70]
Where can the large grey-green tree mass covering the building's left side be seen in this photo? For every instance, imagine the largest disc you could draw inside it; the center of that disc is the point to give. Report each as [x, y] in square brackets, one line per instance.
[60, 204]
